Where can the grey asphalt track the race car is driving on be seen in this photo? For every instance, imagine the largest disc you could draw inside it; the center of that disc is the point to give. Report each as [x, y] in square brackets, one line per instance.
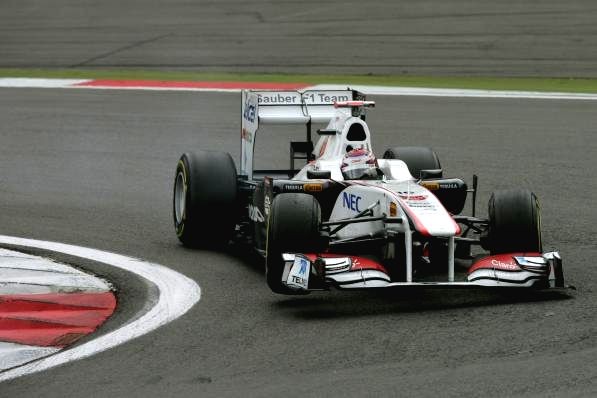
[95, 168]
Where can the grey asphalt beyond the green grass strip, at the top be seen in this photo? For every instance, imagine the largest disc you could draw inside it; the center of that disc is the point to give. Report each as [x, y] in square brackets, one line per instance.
[429, 37]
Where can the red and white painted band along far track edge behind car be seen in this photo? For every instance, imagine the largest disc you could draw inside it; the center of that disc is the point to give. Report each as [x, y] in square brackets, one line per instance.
[210, 86]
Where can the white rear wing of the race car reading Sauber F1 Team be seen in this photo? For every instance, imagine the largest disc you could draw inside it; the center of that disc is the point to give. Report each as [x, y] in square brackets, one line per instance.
[286, 107]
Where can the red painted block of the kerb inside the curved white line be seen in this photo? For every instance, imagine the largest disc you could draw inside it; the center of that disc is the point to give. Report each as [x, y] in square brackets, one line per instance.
[53, 319]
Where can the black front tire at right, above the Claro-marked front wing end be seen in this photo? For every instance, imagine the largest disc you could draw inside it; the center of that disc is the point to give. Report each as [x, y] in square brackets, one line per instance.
[514, 222]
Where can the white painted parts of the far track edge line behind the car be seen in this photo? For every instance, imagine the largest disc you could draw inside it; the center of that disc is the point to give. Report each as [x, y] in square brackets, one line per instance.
[9, 82]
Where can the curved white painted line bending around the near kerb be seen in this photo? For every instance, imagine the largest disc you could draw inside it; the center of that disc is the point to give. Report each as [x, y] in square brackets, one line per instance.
[177, 294]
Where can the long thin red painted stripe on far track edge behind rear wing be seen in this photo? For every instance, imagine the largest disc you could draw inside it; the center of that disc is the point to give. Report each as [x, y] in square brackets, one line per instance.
[195, 85]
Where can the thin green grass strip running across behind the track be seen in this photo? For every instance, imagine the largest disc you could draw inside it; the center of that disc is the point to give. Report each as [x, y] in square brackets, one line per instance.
[570, 85]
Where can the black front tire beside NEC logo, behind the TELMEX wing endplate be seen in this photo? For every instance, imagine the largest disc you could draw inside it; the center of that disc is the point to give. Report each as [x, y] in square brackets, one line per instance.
[293, 227]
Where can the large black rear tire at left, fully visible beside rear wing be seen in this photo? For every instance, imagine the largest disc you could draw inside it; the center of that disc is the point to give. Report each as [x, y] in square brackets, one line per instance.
[205, 199]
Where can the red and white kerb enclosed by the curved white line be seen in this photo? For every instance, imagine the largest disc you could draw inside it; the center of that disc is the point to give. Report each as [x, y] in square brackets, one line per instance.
[46, 306]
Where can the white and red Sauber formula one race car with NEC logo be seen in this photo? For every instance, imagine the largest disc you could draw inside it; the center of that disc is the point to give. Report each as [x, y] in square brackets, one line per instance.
[349, 220]
